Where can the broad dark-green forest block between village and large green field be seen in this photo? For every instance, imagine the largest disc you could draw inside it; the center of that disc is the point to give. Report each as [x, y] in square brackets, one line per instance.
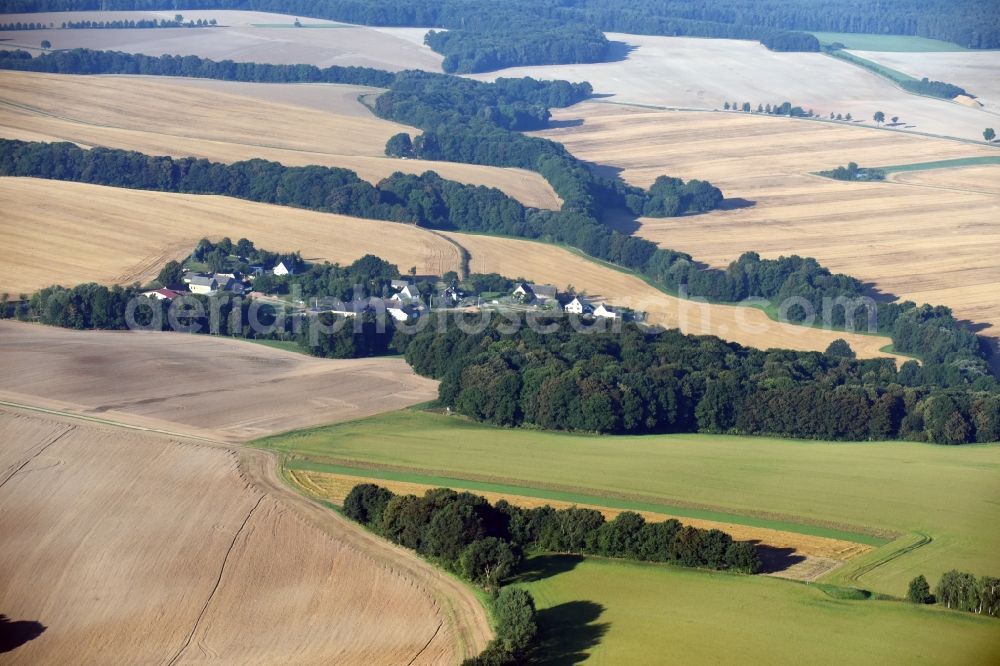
[637, 381]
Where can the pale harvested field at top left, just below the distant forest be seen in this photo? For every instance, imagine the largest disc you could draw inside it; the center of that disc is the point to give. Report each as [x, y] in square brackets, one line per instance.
[240, 36]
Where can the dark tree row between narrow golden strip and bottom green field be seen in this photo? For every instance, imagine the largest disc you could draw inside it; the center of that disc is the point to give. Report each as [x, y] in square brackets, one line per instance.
[484, 542]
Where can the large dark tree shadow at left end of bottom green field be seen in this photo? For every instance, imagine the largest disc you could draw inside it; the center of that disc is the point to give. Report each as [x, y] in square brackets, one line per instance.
[567, 632]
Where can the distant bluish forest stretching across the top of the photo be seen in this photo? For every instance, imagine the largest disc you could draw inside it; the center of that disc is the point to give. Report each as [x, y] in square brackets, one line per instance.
[486, 35]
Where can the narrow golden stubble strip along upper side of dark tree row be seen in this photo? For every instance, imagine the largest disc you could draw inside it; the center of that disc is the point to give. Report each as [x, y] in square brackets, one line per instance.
[820, 554]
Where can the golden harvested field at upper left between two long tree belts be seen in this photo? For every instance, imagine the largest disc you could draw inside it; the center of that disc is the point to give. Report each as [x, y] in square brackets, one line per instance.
[296, 125]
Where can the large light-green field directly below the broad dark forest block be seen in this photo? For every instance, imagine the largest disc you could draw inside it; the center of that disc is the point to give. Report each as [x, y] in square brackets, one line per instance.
[949, 494]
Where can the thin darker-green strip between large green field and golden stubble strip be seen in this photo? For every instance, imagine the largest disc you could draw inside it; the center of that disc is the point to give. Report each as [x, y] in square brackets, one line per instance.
[578, 498]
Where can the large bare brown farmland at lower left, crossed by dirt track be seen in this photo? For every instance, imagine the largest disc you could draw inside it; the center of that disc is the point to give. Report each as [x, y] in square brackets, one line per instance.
[133, 540]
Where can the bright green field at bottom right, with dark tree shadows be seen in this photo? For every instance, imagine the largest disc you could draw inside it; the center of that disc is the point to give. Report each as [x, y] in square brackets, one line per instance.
[608, 612]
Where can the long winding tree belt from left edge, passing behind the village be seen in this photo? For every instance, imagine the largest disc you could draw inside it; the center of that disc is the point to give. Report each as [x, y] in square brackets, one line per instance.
[949, 351]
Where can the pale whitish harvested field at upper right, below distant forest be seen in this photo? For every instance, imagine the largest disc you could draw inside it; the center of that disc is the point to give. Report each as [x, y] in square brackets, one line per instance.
[691, 72]
